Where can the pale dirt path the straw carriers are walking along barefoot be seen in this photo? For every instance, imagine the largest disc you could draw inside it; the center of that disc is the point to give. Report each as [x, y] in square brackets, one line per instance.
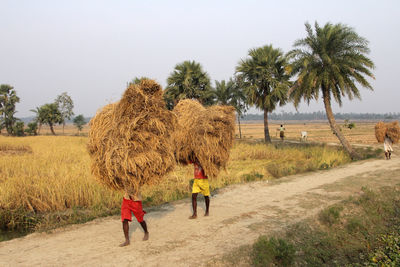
[239, 214]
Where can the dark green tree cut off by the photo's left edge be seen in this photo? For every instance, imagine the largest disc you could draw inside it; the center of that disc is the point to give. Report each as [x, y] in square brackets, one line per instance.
[8, 101]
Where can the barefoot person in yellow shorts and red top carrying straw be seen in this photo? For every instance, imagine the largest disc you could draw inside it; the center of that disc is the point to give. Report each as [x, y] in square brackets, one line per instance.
[200, 185]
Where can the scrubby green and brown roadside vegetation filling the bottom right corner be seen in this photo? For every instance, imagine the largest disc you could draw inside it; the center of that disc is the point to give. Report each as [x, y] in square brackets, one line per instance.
[362, 231]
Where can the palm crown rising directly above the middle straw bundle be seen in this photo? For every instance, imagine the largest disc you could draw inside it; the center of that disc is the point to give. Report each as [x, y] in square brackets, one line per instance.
[188, 80]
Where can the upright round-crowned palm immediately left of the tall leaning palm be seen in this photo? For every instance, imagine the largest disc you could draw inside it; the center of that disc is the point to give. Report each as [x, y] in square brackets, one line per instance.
[266, 80]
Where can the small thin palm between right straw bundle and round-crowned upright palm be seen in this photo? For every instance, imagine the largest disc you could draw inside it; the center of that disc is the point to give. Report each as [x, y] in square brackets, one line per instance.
[231, 93]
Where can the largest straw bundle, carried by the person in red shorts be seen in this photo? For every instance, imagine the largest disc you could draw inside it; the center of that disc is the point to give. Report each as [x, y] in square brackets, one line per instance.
[130, 141]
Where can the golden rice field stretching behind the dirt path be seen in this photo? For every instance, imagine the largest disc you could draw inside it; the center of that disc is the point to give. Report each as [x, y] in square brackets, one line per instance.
[45, 180]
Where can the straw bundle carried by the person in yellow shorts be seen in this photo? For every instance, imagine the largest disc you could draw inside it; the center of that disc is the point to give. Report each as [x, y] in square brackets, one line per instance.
[205, 134]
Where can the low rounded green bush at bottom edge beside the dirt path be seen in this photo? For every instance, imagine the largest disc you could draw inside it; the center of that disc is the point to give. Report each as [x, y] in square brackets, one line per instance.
[272, 251]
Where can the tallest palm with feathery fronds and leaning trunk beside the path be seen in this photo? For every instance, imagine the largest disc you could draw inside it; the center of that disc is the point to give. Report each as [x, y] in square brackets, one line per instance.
[330, 61]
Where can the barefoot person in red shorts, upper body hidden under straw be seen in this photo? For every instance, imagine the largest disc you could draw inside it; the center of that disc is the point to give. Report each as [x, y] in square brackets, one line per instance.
[132, 203]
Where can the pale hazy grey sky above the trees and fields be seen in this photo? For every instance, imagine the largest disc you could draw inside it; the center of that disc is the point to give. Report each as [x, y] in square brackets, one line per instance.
[91, 49]
